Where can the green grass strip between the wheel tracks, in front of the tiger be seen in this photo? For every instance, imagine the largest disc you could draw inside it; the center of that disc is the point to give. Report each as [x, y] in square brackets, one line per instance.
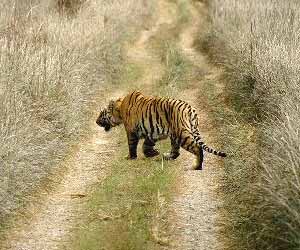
[127, 210]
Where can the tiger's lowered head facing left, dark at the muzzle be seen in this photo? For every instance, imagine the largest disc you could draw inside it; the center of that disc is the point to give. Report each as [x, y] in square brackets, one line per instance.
[111, 115]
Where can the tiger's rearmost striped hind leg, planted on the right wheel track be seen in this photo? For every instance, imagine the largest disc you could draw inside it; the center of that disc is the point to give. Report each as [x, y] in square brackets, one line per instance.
[189, 144]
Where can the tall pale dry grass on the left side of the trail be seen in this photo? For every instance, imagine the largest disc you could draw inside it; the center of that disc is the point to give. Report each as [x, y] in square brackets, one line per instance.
[53, 62]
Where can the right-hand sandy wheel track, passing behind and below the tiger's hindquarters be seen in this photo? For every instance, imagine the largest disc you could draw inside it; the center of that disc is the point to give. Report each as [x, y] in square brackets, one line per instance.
[196, 207]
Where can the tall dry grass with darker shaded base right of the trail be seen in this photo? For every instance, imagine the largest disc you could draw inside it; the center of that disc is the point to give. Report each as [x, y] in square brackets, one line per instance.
[258, 44]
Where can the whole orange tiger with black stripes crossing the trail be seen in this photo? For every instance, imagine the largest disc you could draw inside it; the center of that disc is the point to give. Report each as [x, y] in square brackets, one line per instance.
[156, 118]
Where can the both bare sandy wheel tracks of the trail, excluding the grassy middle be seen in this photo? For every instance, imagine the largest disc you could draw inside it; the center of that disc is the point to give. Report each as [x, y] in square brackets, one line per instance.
[195, 209]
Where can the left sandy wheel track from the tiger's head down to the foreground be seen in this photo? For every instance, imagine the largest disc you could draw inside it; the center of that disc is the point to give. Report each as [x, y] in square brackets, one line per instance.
[59, 211]
